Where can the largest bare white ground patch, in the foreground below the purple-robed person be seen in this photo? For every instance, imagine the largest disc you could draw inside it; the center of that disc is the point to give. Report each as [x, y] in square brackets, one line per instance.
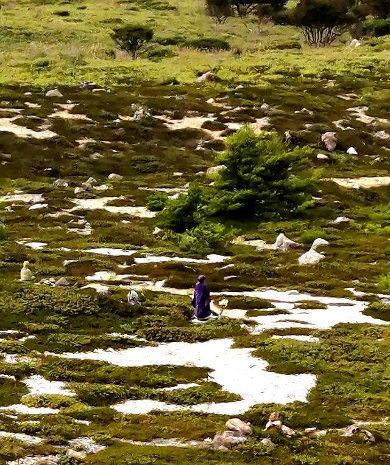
[236, 370]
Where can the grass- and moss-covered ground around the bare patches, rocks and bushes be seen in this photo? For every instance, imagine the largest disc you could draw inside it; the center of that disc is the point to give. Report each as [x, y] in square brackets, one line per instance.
[350, 361]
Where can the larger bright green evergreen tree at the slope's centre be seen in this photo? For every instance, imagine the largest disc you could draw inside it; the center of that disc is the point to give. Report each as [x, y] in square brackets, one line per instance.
[262, 178]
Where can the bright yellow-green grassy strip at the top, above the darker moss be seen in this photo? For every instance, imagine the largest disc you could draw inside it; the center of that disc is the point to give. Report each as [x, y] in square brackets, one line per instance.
[38, 46]
